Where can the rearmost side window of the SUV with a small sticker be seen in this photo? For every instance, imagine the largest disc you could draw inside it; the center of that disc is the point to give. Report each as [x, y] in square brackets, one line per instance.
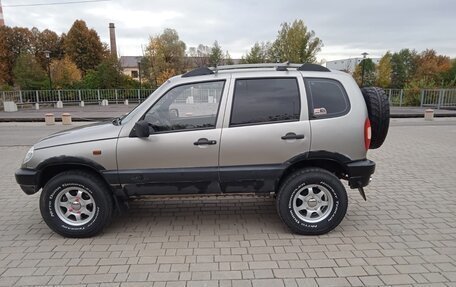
[327, 98]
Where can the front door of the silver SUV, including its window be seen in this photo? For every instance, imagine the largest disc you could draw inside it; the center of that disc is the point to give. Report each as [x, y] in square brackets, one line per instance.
[181, 154]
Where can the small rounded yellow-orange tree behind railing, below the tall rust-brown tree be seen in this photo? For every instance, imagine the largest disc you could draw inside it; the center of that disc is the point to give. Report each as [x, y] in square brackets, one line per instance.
[64, 73]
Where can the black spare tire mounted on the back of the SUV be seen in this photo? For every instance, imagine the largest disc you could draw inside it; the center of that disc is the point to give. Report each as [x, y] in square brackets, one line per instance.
[379, 113]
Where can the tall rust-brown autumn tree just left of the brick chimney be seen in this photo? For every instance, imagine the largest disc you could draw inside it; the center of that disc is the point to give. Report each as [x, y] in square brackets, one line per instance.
[84, 47]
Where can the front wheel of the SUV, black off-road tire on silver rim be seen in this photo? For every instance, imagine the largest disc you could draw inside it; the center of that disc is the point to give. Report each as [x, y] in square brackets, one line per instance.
[83, 188]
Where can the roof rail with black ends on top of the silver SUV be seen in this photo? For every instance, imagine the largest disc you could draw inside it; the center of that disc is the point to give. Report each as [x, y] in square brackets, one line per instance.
[278, 66]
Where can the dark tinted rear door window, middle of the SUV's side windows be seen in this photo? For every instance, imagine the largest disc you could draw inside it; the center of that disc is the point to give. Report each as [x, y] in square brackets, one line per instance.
[265, 100]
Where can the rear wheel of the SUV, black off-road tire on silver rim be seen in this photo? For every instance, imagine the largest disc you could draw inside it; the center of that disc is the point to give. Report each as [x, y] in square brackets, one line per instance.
[297, 185]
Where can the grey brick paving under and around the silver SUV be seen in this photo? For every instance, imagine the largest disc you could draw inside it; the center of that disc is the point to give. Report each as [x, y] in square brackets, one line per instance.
[405, 234]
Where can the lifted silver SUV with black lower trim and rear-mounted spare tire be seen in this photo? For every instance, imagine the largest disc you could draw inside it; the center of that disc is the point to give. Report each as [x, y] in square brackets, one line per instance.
[290, 130]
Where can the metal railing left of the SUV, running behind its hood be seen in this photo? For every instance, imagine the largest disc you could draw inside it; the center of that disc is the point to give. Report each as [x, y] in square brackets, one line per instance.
[76, 96]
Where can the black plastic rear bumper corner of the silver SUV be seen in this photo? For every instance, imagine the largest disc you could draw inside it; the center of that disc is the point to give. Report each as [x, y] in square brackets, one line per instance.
[359, 172]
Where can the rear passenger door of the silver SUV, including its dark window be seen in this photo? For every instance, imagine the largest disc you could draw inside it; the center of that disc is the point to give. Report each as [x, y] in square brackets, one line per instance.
[265, 125]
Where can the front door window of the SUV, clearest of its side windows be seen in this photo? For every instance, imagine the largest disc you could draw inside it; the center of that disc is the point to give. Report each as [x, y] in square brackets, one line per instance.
[187, 107]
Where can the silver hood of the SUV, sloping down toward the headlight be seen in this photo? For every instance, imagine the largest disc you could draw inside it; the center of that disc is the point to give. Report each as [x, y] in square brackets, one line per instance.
[99, 131]
